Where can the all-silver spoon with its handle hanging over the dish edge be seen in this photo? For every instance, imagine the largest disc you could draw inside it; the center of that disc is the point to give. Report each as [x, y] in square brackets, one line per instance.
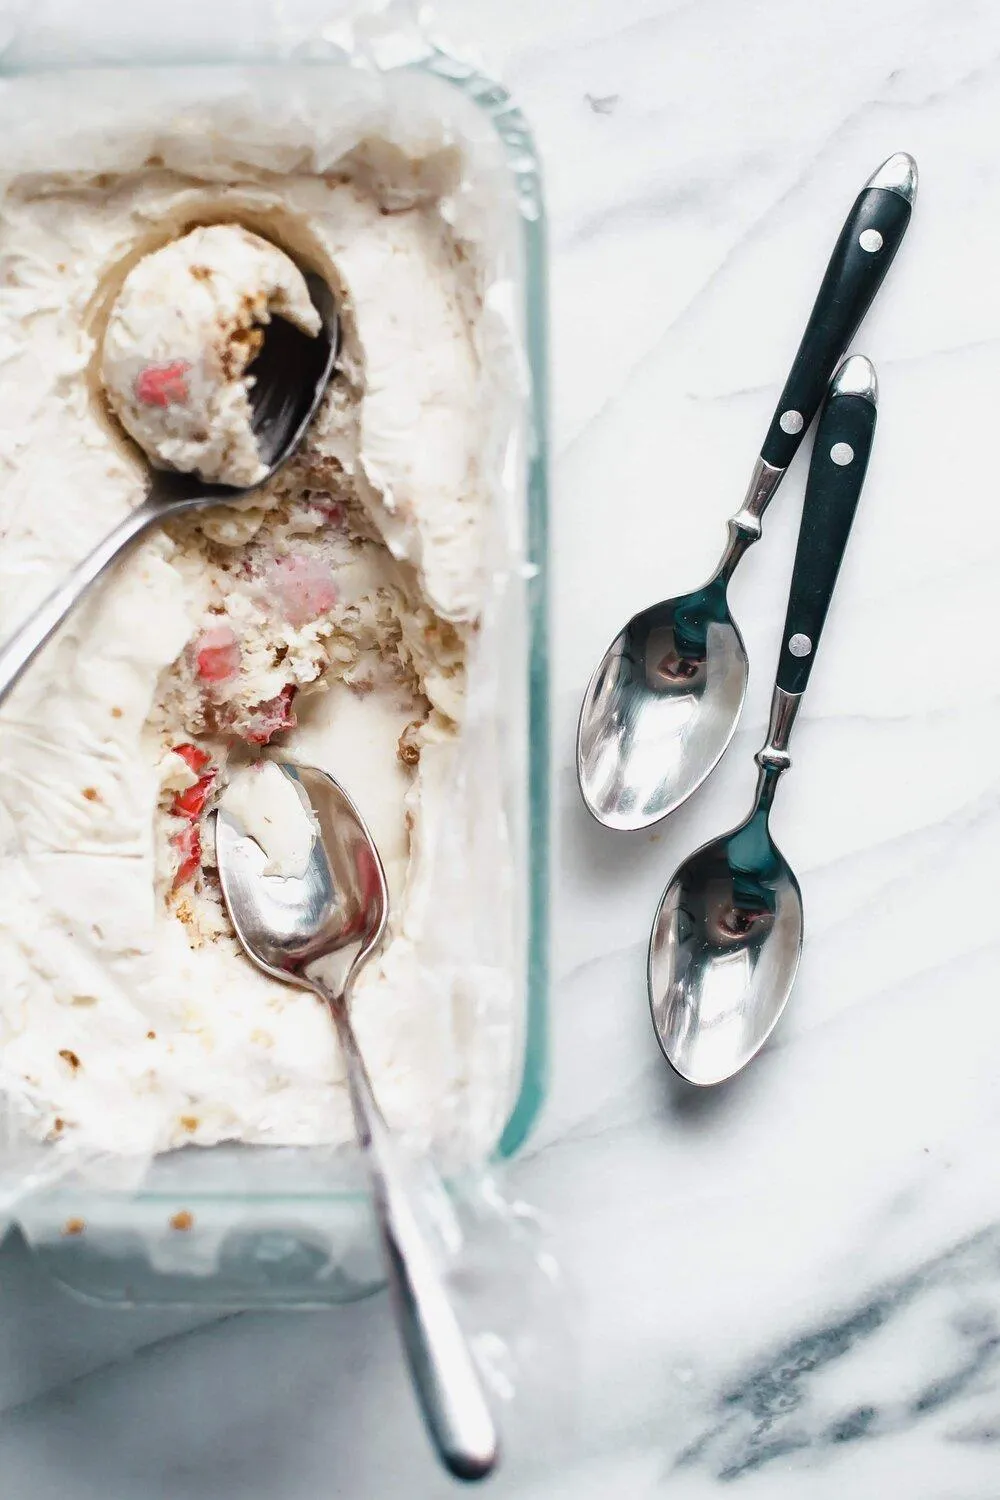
[317, 932]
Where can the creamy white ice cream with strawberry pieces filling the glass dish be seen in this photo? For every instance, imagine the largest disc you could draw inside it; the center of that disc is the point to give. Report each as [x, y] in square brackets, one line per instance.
[332, 614]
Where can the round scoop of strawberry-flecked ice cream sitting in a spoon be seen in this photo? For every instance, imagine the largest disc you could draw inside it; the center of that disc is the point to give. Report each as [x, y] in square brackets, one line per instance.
[182, 334]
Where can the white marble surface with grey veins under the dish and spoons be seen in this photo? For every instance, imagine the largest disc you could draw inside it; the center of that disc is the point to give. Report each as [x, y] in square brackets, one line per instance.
[791, 1286]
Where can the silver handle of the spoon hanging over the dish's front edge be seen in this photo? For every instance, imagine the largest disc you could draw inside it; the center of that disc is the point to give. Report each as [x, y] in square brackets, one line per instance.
[448, 1382]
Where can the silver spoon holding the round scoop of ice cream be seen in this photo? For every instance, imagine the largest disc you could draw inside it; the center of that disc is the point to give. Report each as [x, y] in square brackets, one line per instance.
[292, 374]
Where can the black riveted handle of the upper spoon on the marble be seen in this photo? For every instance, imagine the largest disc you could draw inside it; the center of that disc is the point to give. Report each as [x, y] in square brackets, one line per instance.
[861, 259]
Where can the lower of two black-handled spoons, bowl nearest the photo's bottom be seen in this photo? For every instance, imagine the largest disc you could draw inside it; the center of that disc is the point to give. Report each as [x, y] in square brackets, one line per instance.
[728, 935]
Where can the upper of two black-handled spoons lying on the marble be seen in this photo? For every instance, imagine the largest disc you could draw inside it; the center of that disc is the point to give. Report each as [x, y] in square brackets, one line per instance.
[663, 706]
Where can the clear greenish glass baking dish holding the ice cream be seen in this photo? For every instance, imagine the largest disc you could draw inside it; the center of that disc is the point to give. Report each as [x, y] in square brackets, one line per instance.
[292, 1226]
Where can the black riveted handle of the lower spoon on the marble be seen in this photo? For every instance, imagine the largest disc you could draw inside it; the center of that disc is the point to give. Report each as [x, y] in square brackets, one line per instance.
[837, 473]
